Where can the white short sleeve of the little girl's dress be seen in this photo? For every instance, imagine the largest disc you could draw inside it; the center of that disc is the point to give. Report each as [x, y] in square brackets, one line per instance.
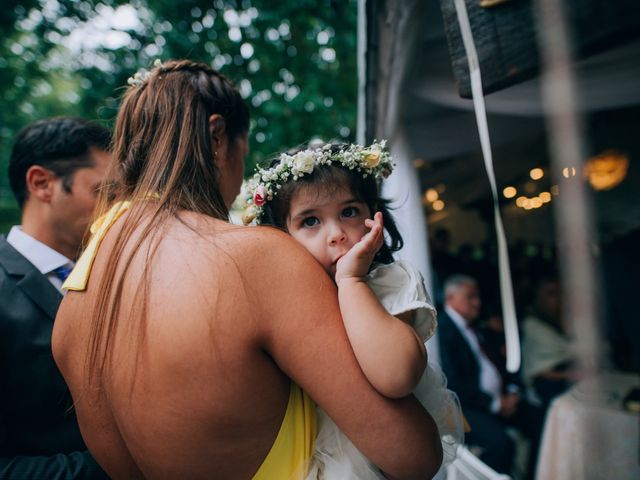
[400, 288]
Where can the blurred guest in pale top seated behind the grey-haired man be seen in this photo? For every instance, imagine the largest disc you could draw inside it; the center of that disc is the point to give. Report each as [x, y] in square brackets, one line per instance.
[547, 350]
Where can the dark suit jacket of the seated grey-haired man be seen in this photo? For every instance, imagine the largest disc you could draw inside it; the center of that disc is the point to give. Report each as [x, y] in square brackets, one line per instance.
[460, 365]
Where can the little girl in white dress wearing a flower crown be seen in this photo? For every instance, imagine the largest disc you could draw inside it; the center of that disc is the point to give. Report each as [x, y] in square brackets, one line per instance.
[327, 199]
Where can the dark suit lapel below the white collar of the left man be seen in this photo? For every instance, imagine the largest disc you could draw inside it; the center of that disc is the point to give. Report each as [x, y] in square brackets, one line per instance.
[33, 283]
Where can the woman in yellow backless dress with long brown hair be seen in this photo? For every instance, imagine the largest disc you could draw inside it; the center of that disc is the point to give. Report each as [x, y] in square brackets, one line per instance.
[189, 344]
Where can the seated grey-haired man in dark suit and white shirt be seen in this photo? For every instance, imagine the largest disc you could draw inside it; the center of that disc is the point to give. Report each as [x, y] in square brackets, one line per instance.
[491, 399]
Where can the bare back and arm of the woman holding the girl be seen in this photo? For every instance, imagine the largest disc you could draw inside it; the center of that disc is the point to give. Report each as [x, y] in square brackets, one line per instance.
[233, 313]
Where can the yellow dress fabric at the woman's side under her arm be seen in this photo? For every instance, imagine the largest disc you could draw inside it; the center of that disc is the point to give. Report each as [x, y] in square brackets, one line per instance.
[292, 448]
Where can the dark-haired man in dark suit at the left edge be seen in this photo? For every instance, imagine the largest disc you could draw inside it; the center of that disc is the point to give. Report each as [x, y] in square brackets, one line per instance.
[55, 169]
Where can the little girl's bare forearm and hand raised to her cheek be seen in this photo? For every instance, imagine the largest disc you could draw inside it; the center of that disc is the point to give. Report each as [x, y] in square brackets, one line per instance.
[389, 351]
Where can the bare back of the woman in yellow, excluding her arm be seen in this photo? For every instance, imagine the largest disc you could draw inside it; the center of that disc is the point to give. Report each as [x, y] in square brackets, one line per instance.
[203, 400]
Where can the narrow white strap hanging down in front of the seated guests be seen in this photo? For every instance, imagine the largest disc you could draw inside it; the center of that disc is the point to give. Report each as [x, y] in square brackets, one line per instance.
[506, 288]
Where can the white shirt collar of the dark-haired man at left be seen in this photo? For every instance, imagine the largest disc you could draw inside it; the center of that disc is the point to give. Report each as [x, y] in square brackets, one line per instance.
[43, 257]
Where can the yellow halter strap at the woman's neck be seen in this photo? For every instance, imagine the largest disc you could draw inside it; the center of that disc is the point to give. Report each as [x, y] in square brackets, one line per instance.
[79, 276]
